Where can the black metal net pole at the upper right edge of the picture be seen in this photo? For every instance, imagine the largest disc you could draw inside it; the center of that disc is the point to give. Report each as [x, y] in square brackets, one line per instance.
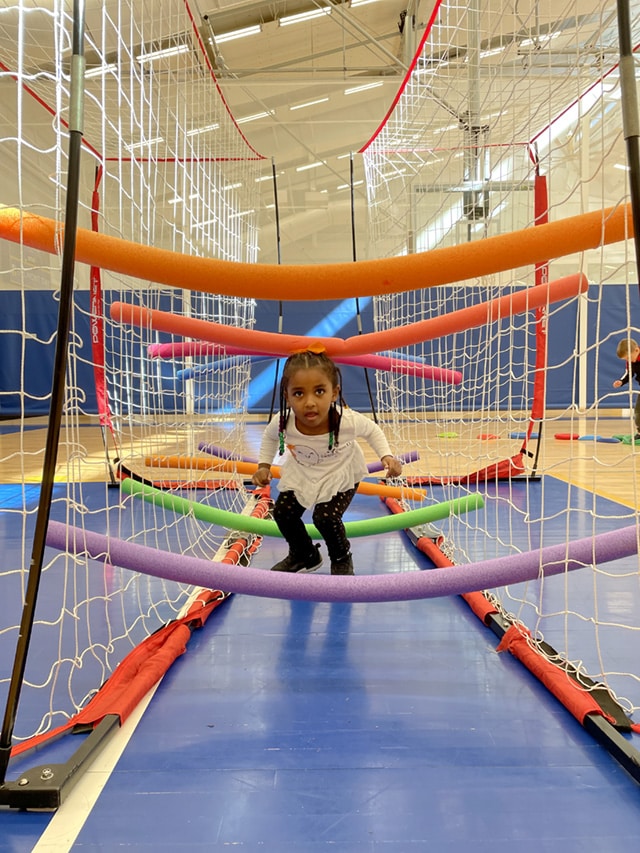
[630, 121]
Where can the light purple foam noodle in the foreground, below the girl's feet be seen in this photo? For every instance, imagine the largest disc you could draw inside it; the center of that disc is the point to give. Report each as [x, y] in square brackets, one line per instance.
[391, 586]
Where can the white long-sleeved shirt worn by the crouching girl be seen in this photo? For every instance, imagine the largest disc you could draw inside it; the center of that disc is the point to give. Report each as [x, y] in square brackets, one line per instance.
[313, 472]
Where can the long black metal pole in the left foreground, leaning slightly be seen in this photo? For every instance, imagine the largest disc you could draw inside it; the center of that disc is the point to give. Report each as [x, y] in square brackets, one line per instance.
[57, 387]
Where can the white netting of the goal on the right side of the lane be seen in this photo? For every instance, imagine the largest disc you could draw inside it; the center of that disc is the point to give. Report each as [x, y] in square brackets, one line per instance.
[502, 96]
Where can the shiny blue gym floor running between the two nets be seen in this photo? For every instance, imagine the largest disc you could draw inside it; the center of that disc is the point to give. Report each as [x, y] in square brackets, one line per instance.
[372, 728]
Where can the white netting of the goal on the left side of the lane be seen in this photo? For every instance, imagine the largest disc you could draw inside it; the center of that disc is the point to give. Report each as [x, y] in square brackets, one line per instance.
[169, 168]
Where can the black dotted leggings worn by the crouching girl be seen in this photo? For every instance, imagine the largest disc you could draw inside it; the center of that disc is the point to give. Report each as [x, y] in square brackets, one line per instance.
[327, 517]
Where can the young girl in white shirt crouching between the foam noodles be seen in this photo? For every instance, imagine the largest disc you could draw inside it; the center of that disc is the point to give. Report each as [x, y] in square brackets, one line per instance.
[324, 463]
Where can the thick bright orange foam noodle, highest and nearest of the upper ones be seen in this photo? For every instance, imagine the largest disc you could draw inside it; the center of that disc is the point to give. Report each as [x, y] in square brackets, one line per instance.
[327, 281]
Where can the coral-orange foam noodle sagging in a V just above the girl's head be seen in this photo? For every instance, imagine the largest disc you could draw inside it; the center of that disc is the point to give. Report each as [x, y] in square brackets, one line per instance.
[390, 339]
